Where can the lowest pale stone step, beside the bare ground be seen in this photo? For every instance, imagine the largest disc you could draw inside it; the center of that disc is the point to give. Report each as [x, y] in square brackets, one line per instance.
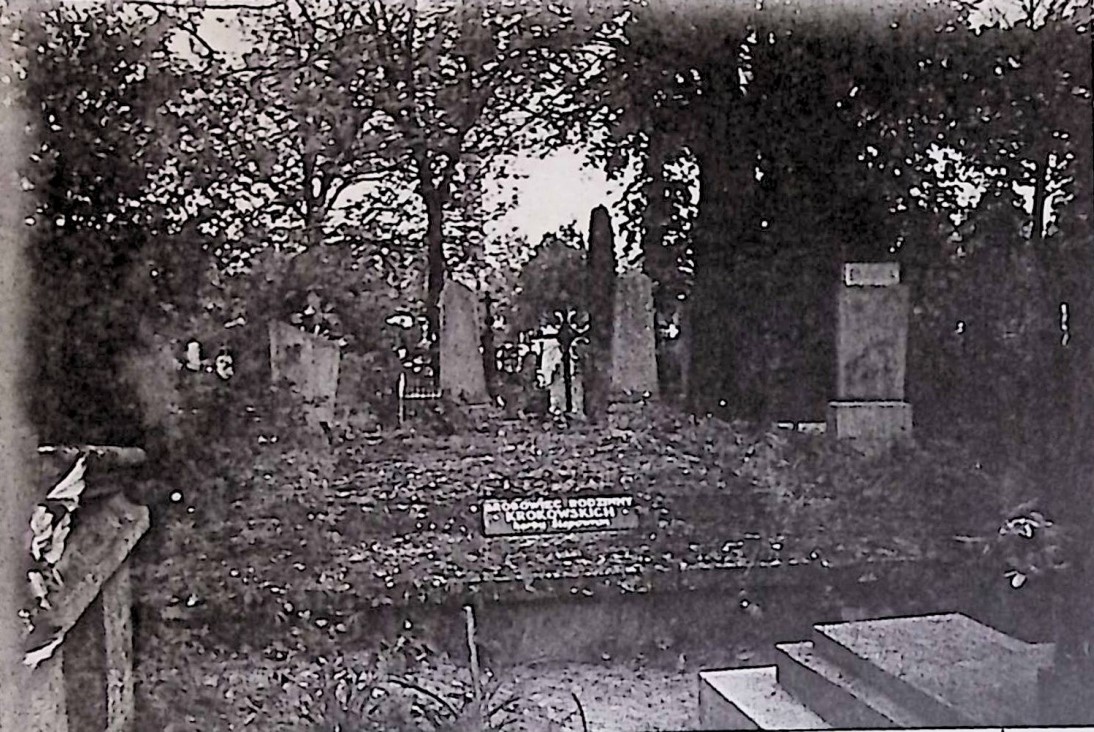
[751, 700]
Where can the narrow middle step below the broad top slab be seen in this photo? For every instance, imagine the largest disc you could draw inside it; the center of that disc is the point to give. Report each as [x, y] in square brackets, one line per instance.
[839, 698]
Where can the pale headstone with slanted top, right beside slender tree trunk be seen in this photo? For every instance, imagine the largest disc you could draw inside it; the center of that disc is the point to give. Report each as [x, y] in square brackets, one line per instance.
[463, 378]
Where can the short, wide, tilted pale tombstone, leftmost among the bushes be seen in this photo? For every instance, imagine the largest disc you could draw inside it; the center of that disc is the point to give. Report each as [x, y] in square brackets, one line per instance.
[311, 365]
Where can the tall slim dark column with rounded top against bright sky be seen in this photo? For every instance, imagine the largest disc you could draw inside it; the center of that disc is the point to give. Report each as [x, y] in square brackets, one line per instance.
[602, 264]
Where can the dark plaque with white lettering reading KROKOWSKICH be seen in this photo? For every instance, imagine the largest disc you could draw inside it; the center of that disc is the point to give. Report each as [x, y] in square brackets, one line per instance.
[526, 517]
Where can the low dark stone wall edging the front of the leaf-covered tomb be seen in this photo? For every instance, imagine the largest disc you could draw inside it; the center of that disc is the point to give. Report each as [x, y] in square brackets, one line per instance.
[712, 612]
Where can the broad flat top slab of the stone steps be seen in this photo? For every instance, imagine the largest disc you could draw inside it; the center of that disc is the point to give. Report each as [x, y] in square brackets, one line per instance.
[948, 670]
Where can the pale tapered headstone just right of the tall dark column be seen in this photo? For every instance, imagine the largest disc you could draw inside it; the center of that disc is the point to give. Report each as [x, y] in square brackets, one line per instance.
[634, 341]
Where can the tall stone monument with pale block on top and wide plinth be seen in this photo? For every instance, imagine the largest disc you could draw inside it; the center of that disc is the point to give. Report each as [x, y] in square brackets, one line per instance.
[871, 347]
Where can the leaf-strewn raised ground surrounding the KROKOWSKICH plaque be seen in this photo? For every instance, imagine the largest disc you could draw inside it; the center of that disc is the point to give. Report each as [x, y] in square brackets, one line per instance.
[395, 520]
